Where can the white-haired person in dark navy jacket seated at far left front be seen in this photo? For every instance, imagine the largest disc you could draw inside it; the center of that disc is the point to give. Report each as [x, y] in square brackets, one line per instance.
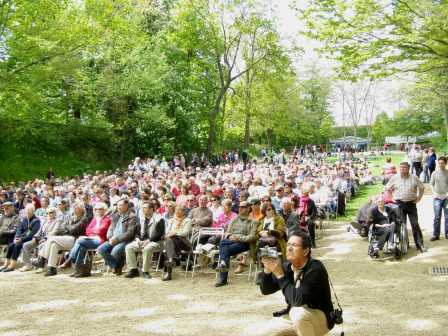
[27, 229]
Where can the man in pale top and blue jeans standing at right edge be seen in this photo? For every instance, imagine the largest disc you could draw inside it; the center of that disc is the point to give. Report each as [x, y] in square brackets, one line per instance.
[439, 186]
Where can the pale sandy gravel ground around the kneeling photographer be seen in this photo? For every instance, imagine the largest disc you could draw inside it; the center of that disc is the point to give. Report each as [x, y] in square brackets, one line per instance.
[385, 297]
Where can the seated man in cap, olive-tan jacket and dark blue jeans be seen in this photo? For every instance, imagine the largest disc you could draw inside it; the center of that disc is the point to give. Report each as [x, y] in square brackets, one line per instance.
[240, 233]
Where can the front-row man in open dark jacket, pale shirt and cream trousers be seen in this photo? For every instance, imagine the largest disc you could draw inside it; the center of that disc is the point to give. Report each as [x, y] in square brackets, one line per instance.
[147, 241]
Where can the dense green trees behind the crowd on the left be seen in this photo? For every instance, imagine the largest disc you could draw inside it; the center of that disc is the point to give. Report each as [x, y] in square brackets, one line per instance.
[161, 77]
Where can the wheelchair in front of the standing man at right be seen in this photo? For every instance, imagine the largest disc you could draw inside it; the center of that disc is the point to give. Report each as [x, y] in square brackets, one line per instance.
[397, 242]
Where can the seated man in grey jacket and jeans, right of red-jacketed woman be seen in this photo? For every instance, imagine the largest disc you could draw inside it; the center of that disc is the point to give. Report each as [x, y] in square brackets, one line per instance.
[121, 232]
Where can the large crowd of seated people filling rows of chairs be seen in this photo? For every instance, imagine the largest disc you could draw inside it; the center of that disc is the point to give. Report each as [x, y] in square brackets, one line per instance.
[157, 209]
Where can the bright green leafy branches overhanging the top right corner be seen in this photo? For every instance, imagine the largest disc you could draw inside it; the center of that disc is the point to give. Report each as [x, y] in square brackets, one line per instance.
[378, 38]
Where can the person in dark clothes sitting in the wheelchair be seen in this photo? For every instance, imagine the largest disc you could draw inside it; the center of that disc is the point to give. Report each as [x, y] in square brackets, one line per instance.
[383, 226]
